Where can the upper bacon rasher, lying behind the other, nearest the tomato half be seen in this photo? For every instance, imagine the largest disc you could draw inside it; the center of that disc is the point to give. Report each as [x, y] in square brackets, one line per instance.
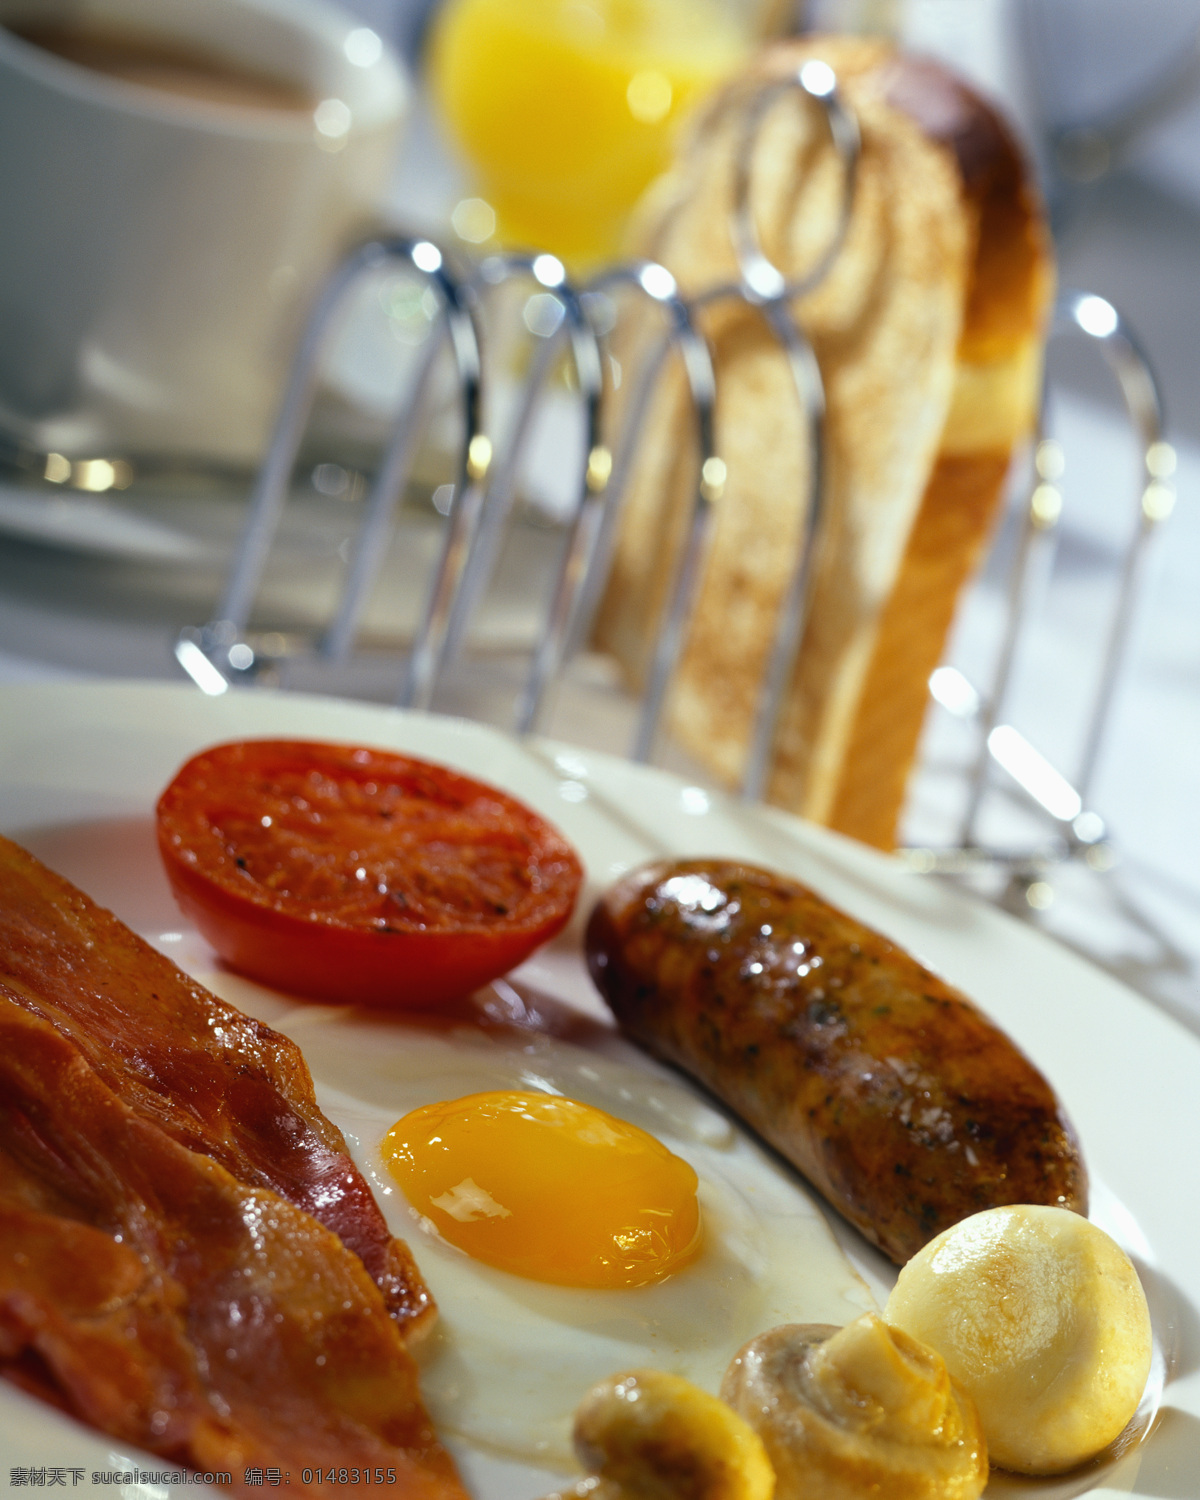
[214, 1079]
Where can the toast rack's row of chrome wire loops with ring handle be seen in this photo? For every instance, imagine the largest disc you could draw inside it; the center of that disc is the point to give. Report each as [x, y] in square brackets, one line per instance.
[482, 497]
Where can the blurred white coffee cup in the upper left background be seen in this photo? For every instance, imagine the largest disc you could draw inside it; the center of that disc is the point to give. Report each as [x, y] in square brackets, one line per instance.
[158, 253]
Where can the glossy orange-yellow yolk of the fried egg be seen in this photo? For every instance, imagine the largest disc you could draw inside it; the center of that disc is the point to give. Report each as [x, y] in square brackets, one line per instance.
[548, 1189]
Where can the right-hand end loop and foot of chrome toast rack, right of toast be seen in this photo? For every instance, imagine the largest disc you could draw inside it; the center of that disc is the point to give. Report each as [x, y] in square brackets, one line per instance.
[1067, 803]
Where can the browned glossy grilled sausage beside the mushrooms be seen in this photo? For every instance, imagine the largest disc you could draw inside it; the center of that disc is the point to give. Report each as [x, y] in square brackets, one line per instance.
[890, 1091]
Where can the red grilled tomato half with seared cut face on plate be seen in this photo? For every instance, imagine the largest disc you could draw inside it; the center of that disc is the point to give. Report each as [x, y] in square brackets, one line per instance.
[361, 877]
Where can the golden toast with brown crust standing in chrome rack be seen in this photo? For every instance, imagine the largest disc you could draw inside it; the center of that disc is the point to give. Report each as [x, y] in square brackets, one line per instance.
[929, 331]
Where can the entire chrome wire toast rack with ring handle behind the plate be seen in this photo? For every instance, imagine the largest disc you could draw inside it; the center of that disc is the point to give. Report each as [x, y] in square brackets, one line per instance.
[226, 653]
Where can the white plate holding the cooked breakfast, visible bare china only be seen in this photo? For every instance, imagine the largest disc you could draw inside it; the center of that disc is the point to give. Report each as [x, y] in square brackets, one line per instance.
[82, 766]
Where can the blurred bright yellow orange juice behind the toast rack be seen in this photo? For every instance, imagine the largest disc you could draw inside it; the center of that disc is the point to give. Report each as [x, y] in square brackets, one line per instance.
[566, 109]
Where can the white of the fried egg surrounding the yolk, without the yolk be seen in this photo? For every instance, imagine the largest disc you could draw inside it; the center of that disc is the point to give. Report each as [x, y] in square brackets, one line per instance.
[511, 1358]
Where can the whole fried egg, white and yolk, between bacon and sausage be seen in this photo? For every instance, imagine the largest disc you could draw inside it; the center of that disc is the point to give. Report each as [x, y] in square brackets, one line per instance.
[514, 1349]
